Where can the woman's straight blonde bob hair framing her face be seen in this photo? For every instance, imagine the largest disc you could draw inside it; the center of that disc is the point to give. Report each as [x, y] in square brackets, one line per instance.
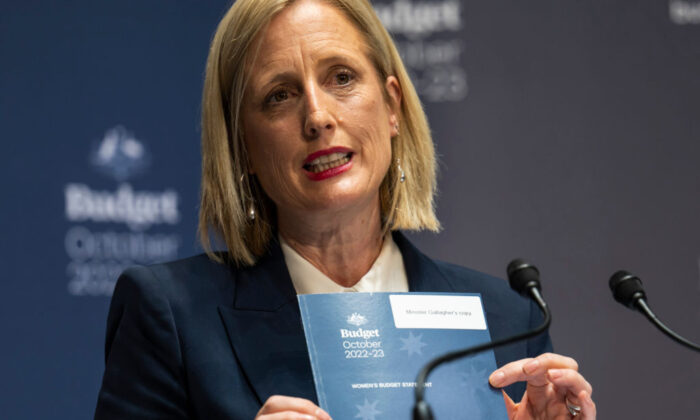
[227, 190]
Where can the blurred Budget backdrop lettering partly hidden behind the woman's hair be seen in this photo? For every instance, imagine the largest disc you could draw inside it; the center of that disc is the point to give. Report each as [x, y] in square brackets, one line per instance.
[429, 36]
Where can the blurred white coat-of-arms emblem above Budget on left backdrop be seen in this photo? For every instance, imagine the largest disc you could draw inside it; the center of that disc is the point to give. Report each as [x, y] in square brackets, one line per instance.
[119, 154]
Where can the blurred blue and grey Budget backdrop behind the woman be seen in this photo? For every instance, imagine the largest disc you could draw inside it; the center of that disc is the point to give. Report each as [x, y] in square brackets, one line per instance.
[568, 133]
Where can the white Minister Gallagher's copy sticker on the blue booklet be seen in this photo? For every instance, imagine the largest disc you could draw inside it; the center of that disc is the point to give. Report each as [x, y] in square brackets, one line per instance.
[438, 312]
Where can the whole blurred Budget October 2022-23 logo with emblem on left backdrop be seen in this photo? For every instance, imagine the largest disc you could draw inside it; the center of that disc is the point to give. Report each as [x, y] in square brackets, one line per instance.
[114, 227]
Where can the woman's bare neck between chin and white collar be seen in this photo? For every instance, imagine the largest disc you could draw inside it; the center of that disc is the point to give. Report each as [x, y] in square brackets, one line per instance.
[342, 245]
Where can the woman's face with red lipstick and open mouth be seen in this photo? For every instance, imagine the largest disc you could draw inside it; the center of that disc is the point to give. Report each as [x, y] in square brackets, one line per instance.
[316, 123]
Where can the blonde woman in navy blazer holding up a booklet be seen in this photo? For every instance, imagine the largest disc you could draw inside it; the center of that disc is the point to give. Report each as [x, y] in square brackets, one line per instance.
[314, 148]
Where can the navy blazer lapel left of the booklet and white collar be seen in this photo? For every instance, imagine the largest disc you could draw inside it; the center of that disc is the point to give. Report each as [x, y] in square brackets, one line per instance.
[265, 330]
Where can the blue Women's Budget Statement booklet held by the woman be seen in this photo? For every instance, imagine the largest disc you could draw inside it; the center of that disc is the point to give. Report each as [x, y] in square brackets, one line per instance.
[367, 348]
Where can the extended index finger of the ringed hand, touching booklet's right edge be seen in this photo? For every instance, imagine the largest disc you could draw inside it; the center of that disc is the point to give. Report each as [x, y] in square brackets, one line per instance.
[531, 370]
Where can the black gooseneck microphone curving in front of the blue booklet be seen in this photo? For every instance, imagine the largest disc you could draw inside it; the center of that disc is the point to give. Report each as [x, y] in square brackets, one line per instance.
[524, 278]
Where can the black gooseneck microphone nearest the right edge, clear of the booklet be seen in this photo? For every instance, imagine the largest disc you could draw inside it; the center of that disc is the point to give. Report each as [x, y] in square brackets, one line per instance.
[627, 289]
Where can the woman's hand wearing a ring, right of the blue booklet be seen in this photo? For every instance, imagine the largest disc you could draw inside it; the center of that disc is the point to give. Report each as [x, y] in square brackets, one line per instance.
[551, 380]
